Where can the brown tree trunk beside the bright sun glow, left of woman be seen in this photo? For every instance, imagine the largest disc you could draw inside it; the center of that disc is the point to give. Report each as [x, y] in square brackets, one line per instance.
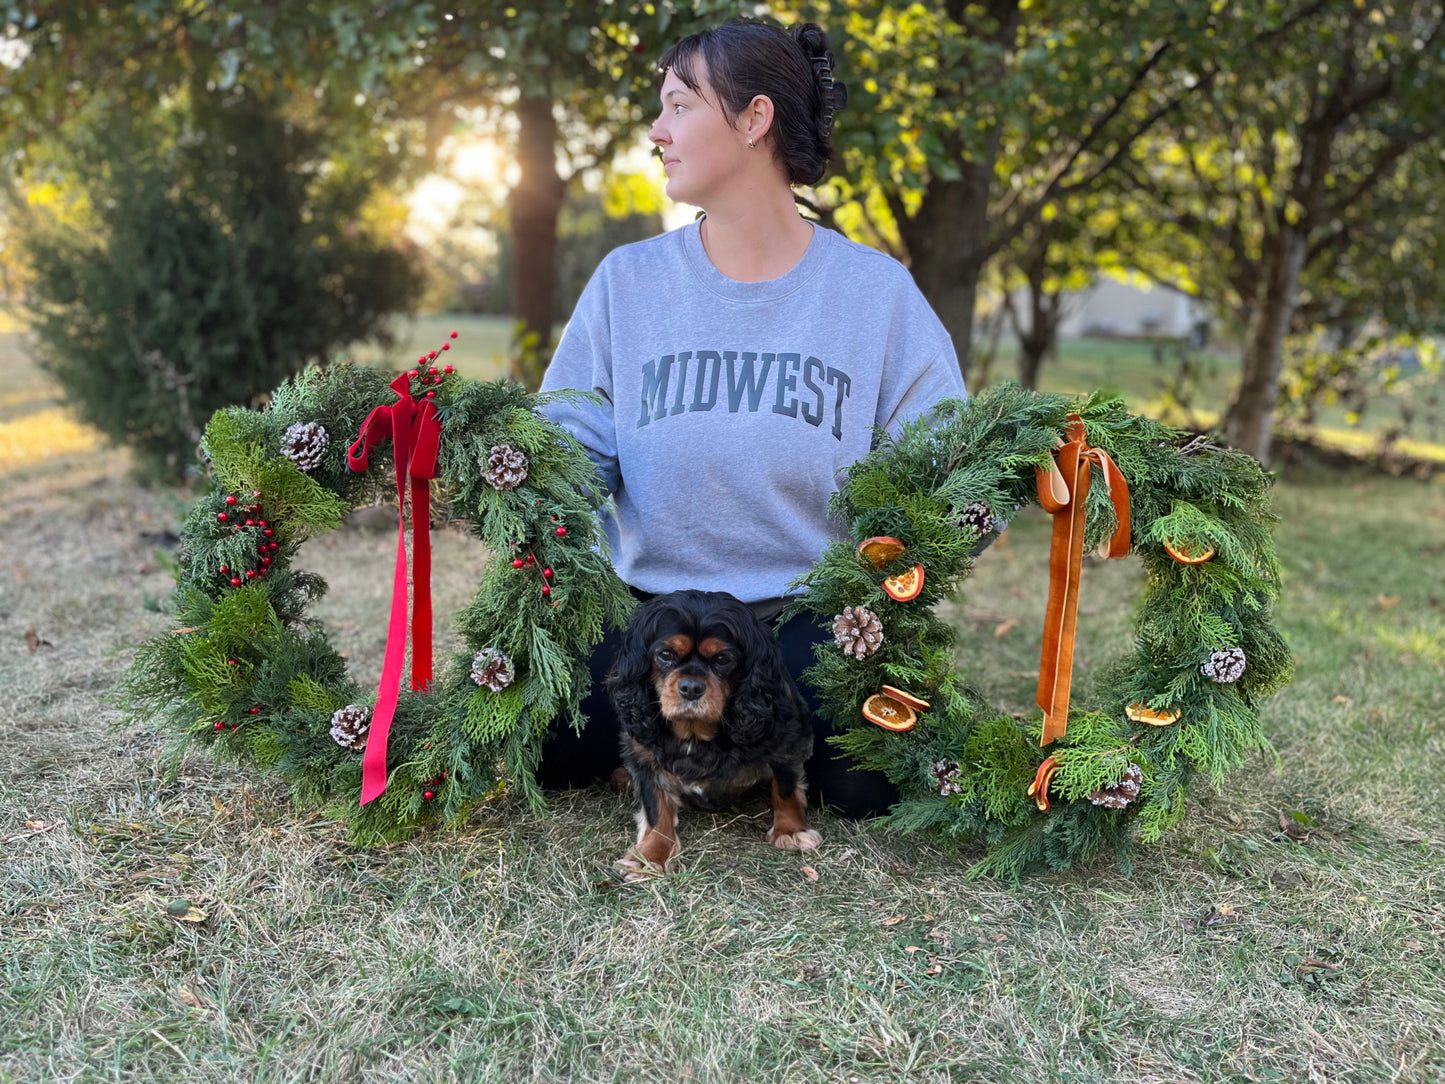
[534, 207]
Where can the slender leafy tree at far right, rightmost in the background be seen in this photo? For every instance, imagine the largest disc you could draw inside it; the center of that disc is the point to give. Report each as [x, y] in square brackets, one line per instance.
[1284, 164]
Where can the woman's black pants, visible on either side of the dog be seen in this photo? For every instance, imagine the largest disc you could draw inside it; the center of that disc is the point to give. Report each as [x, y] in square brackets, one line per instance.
[571, 760]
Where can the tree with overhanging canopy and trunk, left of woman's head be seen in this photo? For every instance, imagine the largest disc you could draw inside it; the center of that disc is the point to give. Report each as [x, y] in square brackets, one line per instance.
[576, 79]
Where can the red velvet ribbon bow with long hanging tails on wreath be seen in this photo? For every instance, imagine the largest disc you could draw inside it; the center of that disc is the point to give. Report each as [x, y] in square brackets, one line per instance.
[415, 433]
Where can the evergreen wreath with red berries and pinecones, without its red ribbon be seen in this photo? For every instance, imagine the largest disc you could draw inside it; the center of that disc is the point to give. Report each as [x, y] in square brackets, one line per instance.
[251, 676]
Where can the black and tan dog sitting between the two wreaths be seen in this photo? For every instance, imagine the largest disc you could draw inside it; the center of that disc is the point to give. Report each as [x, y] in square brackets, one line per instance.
[707, 712]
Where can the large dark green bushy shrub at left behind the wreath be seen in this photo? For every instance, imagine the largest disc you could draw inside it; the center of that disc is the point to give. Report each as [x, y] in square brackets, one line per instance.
[222, 251]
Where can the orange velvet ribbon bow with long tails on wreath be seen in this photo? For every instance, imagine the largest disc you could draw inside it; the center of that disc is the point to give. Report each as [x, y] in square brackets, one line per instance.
[1063, 491]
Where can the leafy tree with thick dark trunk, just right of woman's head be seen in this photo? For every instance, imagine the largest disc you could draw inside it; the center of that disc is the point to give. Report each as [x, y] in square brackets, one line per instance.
[970, 119]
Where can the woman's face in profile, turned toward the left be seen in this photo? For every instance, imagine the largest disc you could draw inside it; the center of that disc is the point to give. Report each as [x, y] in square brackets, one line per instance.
[702, 150]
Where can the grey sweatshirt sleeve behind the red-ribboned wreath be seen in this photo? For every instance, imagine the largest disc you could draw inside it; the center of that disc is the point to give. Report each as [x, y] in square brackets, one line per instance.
[585, 362]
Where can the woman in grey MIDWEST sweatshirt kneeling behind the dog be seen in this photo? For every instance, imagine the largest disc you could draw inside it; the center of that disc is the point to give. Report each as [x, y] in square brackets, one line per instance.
[743, 364]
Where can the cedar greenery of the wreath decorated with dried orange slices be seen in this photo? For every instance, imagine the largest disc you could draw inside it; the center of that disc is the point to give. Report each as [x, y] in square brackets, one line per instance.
[1183, 491]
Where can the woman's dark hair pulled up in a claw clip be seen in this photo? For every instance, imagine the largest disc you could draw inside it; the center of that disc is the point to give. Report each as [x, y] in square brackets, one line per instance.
[793, 69]
